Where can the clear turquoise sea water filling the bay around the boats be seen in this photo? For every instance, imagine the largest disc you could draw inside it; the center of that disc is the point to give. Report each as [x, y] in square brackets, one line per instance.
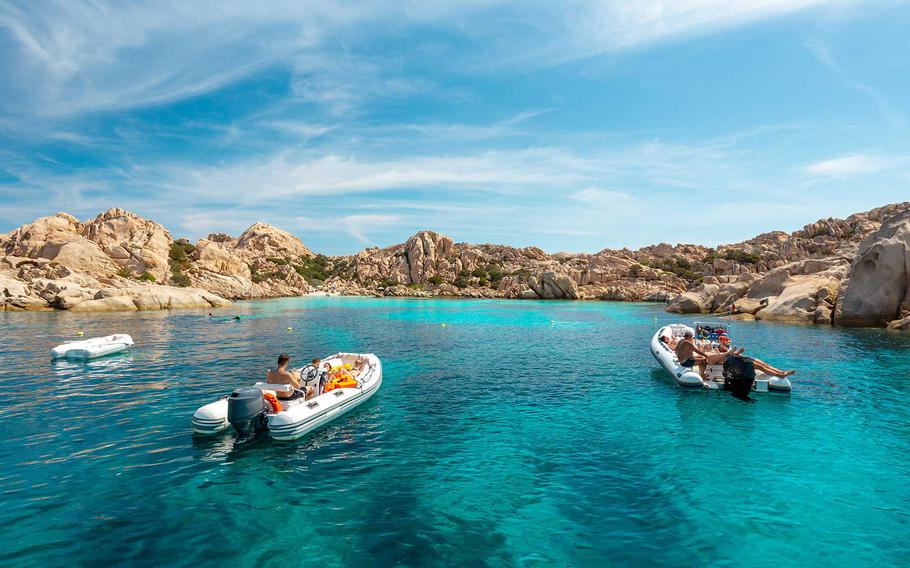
[498, 439]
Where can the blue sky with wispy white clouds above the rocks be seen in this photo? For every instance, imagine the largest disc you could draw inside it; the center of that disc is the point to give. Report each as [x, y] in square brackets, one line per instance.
[571, 126]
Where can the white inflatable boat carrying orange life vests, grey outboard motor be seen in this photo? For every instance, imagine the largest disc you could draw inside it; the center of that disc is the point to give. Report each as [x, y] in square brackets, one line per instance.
[252, 409]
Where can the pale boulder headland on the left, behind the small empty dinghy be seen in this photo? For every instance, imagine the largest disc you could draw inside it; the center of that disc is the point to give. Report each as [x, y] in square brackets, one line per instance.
[120, 261]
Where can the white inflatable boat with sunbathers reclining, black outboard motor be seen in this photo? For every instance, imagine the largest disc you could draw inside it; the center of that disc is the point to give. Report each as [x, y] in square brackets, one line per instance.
[707, 336]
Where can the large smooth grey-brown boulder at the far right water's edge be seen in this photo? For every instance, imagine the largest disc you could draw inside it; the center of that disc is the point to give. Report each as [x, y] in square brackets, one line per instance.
[877, 288]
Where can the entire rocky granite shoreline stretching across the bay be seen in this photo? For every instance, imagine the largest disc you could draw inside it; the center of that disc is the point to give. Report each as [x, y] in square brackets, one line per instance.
[852, 271]
